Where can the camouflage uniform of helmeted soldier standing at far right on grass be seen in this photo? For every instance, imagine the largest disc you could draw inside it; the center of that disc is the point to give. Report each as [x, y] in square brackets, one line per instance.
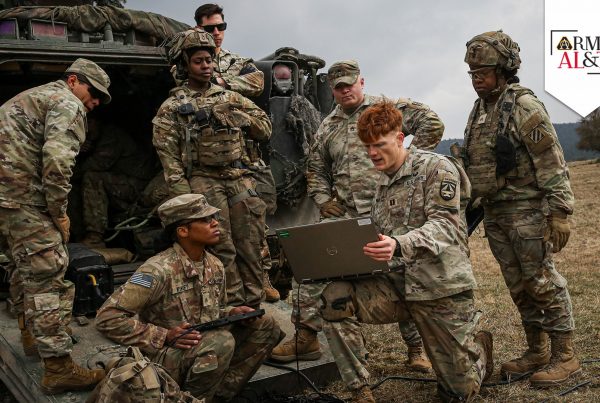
[515, 204]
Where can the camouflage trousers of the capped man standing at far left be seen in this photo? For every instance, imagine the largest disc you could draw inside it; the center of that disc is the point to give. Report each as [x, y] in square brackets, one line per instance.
[41, 260]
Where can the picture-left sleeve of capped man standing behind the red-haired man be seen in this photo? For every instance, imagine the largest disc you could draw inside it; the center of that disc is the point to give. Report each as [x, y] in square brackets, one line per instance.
[318, 173]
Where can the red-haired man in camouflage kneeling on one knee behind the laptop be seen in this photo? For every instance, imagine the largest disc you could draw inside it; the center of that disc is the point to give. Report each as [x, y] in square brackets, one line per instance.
[417, 208]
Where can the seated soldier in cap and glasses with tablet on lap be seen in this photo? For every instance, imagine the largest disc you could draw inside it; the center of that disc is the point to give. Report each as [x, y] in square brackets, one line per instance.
[181, 286]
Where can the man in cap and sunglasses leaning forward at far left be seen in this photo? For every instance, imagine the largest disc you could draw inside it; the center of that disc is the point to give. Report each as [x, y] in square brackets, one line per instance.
[41, 131]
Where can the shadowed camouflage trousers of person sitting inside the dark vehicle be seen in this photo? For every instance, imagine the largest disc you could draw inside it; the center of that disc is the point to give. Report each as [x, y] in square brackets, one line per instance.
[103, 189]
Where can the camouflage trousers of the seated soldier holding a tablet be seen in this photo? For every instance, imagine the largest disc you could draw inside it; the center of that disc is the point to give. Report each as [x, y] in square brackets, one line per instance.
[223, 361]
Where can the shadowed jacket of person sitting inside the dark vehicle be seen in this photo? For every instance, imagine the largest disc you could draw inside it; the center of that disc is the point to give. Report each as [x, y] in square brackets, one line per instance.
[116, 151]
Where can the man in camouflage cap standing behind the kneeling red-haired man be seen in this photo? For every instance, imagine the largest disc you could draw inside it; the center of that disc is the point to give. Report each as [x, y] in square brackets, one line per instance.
[342, 181]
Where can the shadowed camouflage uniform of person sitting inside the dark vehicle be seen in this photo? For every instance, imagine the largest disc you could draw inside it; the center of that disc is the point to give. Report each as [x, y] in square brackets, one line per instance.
[114, 174]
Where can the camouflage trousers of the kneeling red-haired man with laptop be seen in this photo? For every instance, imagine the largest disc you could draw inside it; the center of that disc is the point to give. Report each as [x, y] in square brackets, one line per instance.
[447, 326]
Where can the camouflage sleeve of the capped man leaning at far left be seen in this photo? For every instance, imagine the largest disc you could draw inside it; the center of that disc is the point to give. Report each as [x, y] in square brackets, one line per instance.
[64, 132]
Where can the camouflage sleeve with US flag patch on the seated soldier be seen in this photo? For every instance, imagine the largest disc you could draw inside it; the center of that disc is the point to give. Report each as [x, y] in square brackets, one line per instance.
[118, 318]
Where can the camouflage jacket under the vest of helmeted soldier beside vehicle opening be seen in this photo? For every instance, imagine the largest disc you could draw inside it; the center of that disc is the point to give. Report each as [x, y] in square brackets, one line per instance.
[169, 135]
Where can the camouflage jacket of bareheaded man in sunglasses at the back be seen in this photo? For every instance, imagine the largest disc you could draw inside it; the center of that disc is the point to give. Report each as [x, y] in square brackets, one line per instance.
[239, 73]
